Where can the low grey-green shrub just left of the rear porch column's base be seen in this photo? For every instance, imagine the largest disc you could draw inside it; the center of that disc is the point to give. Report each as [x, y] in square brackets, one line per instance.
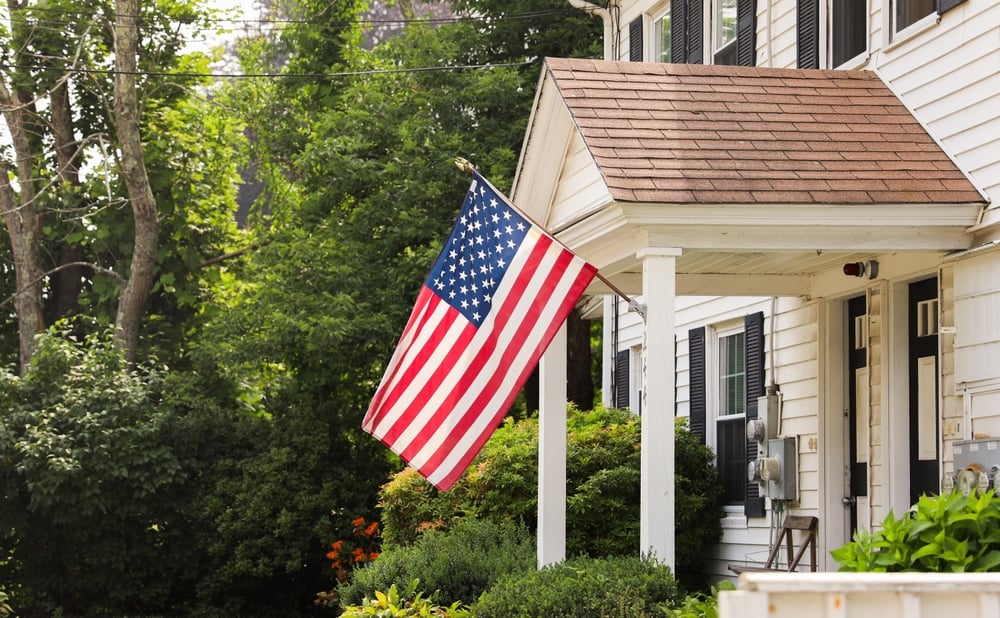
[456, 565]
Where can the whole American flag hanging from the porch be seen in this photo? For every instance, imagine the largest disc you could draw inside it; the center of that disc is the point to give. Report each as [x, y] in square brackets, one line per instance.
[498, 292]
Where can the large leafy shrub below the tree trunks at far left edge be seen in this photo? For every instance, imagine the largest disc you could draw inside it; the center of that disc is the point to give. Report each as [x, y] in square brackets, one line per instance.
[87, 471]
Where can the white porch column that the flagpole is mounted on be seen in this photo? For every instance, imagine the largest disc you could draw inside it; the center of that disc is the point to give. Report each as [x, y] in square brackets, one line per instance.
[656, 518]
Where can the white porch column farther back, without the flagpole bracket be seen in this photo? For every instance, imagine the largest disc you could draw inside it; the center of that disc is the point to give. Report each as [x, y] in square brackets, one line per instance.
[551, 541]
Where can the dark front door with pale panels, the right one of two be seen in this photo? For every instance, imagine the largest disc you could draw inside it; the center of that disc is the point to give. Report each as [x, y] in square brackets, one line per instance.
[923, 371]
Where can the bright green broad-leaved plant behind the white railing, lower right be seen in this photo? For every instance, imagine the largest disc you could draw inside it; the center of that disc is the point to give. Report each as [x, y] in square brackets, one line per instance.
[944, 533]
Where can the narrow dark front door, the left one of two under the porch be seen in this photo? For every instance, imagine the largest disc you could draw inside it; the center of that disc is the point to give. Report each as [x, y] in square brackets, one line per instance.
[857, 412]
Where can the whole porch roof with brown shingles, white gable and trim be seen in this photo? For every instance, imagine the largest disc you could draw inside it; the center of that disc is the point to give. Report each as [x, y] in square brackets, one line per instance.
[755, 171]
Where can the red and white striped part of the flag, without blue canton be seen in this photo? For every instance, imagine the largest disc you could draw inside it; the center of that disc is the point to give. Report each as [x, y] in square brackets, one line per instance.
[449, 382]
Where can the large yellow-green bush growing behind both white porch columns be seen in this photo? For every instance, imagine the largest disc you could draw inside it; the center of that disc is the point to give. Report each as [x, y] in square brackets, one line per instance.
[602, 490]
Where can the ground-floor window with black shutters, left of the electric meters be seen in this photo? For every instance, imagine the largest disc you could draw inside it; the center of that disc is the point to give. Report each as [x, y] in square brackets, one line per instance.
[726, 377]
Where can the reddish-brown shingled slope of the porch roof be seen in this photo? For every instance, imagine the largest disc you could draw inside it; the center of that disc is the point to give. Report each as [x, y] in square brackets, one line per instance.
[685, 133]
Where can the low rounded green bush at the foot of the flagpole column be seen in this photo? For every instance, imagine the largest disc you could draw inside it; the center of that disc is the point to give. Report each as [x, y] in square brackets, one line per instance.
[582, 588]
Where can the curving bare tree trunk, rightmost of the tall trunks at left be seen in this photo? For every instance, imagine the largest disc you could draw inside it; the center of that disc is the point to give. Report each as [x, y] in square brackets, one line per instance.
[133, 297]
